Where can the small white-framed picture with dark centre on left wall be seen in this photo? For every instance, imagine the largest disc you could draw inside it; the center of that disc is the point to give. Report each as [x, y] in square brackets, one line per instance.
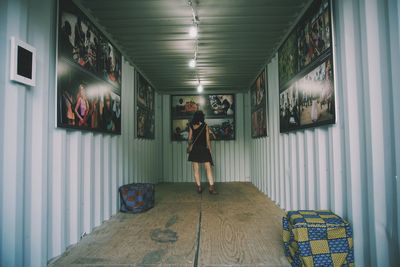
[23, 62]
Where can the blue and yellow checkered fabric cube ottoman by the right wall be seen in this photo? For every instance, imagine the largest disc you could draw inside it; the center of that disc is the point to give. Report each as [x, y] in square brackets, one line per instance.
[317, 238]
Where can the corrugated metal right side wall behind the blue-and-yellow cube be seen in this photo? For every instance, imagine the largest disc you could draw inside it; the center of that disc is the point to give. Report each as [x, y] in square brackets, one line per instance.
[351, 167]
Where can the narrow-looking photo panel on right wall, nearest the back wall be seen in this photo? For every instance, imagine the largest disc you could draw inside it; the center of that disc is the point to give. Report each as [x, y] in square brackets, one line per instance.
[259, 101]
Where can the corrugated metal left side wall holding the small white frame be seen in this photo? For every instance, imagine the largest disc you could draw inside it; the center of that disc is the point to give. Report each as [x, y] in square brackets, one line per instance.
[57, 184]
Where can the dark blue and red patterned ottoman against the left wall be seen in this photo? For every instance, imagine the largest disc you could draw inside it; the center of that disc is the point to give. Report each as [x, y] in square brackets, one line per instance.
[136, 197]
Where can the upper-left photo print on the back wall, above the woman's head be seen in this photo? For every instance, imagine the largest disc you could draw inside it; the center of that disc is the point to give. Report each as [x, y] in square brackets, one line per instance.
[187, 105]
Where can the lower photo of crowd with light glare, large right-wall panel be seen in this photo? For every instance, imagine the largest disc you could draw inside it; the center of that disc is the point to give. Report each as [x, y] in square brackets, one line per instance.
[310, 101]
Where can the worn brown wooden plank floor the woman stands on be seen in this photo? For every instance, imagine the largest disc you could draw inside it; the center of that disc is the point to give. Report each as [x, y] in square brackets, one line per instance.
[238, 227]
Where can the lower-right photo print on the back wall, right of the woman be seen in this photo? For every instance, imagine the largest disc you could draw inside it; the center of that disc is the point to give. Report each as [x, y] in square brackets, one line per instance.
[221, 129]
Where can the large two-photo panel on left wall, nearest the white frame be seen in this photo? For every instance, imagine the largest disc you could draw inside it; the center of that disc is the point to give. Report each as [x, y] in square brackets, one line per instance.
[88, 74]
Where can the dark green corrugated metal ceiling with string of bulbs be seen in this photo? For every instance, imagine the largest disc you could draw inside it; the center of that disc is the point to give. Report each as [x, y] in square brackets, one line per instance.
[236, 38]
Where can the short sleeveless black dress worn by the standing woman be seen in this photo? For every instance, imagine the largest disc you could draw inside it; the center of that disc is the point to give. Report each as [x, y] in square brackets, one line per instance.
[200, 153]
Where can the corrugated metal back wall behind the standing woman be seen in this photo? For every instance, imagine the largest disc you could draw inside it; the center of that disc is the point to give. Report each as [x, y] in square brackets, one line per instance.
[231, 158]
